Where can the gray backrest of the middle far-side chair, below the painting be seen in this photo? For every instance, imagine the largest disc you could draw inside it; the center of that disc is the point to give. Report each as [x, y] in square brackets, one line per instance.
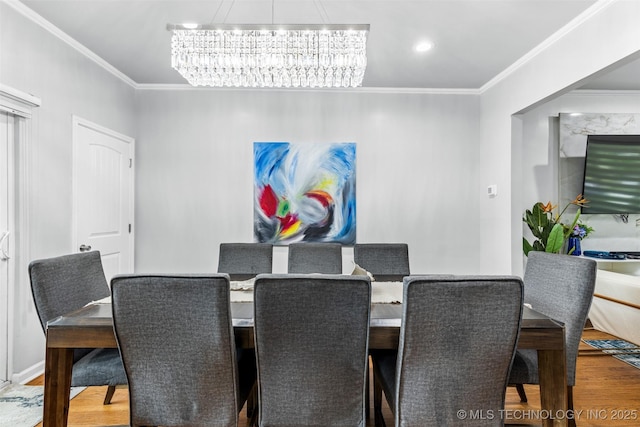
[325, 258]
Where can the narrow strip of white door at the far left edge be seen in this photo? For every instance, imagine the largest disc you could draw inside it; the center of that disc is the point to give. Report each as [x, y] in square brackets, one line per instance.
[6, 138]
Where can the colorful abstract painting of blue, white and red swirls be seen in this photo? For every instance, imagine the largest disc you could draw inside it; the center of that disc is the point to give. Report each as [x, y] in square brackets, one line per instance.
[304, 192]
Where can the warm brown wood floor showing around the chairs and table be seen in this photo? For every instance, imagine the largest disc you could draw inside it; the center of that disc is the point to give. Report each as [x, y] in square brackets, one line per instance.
[607, 391]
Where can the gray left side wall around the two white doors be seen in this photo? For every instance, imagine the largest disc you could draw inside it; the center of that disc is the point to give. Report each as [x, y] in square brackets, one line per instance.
[34, 61]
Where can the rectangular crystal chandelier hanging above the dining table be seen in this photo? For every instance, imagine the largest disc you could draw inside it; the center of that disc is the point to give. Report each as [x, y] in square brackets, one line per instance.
[270, 55]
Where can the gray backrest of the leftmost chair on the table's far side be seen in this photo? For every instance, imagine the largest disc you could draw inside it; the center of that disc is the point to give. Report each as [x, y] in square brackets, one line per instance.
[242, 261]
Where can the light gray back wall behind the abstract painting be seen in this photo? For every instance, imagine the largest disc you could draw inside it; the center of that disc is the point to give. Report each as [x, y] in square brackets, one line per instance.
[416, 162]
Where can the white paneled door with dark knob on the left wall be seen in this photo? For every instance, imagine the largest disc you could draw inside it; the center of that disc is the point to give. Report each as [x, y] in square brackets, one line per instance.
[103, 195]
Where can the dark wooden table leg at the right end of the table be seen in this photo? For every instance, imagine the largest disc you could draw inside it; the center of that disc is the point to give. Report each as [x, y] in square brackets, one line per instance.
[553, 386]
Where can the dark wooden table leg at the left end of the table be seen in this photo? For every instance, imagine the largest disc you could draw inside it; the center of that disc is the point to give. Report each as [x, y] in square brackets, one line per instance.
[57, 385]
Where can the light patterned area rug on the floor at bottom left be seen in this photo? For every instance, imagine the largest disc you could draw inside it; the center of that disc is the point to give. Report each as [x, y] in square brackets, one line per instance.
[21, 405]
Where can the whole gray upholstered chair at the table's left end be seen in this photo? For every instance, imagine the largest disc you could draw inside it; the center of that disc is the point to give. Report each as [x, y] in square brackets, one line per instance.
[67, 283]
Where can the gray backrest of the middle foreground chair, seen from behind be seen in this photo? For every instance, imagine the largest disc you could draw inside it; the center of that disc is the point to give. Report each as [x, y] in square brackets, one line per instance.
[311, 338]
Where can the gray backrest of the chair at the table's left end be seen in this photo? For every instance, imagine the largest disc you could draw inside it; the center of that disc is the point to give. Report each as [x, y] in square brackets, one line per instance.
[66, 283]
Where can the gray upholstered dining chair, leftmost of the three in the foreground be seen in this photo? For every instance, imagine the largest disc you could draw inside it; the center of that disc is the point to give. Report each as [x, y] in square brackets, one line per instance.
[177, 342]
